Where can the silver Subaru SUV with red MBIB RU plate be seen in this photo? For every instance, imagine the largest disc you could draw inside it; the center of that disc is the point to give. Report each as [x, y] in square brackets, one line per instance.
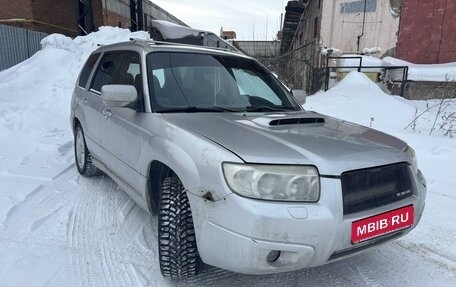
[241, 177]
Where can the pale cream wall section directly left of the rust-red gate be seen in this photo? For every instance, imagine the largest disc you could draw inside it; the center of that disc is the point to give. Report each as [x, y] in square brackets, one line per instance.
[342, 22]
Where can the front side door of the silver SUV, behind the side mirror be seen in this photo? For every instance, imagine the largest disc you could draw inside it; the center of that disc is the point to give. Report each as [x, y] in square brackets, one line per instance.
[121, 134]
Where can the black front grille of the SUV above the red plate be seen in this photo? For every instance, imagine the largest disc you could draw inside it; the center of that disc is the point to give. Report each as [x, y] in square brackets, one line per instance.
[373, 187]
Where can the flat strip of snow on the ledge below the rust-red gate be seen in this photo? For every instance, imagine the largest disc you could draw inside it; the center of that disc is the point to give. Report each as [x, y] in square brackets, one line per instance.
[422, 72]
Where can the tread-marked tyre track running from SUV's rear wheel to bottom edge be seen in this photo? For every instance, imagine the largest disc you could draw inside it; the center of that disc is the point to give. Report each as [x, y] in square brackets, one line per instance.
[91, 261]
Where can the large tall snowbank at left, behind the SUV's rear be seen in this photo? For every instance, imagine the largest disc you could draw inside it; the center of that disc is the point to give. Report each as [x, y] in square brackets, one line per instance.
[35, 138]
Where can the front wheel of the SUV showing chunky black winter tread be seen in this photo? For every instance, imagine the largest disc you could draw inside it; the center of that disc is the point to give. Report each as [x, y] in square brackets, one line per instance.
[178, 252]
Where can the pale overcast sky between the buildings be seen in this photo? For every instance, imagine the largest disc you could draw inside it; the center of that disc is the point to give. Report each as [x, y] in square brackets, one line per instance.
[249, 19]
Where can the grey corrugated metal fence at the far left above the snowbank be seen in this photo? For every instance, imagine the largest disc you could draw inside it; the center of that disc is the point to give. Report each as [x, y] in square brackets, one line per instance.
[17, 44]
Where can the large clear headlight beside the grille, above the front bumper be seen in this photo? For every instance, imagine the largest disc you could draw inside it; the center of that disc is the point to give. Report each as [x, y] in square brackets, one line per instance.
[273, 182]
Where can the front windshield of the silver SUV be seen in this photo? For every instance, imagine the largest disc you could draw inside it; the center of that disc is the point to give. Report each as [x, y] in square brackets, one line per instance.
[190, 82]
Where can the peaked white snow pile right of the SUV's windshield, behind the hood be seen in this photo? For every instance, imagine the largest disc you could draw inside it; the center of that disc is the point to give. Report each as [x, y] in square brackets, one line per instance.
[357, 99]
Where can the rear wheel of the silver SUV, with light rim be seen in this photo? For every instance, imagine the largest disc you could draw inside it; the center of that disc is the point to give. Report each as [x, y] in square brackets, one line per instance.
[82, 156]
